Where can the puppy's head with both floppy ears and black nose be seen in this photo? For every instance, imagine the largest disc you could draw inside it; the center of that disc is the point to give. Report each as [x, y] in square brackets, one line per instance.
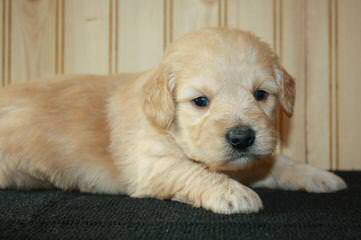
[216, 93]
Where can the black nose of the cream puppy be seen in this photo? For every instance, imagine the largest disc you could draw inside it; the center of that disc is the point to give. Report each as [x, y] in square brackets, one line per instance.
[241, 137]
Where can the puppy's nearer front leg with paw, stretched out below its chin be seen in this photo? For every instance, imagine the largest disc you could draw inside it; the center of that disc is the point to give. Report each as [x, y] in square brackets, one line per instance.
[189, 182]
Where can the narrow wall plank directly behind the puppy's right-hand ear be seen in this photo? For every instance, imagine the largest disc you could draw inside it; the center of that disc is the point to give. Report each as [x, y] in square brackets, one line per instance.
[293, 58]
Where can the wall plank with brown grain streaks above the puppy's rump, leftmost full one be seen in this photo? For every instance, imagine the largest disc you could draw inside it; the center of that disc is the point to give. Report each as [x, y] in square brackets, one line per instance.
[32, 39]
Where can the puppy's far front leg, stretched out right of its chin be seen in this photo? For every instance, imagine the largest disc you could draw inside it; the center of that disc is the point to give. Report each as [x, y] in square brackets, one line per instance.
[289, 175]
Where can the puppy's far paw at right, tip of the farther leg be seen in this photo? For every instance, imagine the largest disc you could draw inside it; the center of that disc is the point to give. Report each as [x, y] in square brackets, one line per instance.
[320, 181]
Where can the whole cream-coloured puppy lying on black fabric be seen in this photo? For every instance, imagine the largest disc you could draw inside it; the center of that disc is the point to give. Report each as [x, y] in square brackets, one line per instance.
[168, 133]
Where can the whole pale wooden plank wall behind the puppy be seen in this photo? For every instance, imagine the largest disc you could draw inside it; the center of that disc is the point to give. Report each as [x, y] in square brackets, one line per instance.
[319, 42]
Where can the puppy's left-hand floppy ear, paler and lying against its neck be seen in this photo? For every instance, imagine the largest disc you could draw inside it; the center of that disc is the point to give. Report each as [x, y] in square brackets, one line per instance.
[159, 103]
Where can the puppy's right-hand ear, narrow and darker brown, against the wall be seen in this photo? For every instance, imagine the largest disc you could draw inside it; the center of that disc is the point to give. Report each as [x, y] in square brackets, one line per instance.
[288, 89]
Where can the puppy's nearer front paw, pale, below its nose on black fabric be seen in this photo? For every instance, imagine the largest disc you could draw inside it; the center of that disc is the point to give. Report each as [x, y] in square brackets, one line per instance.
[231, 197]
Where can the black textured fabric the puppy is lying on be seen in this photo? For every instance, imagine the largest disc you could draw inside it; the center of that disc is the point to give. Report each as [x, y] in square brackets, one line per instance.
[287, 215]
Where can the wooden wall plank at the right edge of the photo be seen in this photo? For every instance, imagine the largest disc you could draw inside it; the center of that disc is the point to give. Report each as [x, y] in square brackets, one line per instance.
[349, 84]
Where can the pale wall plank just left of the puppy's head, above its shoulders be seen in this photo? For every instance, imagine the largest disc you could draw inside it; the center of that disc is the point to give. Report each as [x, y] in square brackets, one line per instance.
[141, 34]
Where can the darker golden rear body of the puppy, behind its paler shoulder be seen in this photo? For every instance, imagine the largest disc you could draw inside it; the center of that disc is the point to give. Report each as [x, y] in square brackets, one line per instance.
[54, 133]
